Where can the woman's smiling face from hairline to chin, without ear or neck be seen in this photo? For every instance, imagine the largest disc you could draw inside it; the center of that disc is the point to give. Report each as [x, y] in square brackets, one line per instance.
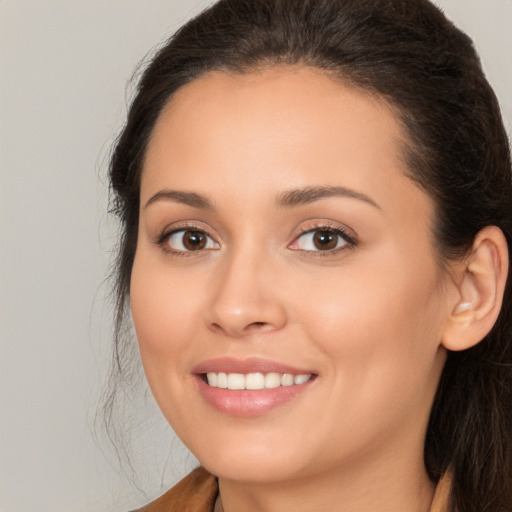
[285, 291]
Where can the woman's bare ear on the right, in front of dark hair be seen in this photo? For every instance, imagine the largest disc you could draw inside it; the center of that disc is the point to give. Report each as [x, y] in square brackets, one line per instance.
[480, 281]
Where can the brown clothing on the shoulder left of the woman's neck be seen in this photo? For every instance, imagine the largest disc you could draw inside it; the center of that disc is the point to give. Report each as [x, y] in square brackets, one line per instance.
[197, 492]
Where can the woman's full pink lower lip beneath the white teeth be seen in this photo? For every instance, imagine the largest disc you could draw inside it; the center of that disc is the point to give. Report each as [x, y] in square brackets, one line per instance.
[249, 403]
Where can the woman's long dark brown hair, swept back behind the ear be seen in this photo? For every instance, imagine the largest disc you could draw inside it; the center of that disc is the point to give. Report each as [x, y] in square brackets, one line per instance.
[408, 53]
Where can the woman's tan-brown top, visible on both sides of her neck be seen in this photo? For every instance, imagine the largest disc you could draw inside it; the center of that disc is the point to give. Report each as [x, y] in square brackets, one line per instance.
[198, 492]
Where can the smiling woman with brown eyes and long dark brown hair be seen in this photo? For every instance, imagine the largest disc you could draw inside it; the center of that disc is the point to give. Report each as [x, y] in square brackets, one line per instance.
[316, 203]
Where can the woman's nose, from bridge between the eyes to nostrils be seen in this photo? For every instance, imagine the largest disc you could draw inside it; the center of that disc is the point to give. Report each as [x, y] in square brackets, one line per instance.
[246, 299]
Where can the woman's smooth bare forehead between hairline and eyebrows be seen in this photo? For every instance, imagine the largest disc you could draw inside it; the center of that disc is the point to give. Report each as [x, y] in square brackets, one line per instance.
[277, 128]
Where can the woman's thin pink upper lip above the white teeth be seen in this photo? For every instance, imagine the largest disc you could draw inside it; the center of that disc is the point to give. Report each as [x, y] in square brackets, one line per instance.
[249, 365]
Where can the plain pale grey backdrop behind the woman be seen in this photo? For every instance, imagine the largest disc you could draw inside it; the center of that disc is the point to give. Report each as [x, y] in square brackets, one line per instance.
[64, 66]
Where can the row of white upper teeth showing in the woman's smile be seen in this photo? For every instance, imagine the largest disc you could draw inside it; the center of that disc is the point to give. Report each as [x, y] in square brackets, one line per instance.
[254, 381]
